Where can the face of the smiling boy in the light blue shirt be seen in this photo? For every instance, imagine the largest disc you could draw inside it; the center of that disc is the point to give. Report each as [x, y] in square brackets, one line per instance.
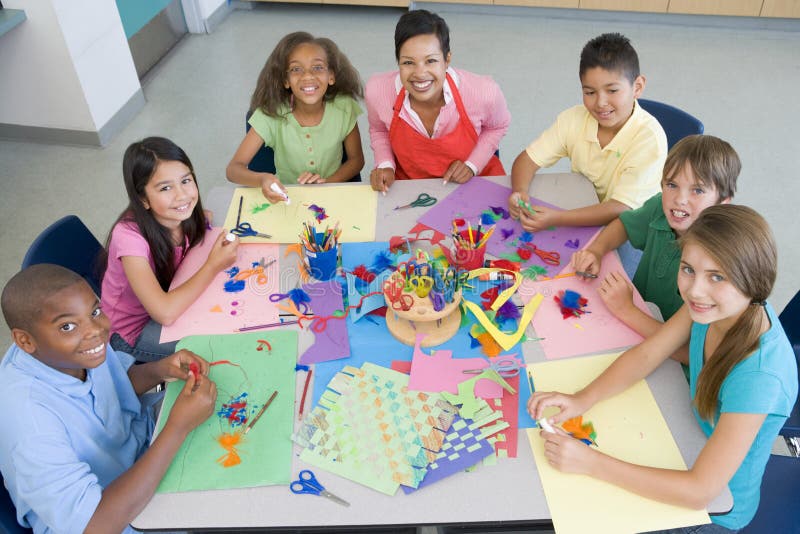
[71, 333]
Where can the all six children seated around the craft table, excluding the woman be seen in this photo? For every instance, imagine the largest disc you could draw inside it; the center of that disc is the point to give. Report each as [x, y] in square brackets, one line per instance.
[74, 449]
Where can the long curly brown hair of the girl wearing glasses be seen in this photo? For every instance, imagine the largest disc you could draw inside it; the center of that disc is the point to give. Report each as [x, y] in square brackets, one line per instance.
[270, 93]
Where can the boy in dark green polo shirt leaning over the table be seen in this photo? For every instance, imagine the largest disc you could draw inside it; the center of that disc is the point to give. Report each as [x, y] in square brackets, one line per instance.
[700, 171]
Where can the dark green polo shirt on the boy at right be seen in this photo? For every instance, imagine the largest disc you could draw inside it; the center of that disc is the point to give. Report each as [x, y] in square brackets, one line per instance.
[656, 277]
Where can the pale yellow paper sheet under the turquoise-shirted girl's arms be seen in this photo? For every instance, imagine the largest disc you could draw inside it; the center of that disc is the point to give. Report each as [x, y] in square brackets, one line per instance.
[629, 427]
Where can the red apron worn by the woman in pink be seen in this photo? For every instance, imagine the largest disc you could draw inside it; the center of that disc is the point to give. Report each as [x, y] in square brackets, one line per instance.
[419, 156]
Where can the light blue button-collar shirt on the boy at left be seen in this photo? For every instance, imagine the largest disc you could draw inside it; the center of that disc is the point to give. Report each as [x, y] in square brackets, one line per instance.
[64, 440]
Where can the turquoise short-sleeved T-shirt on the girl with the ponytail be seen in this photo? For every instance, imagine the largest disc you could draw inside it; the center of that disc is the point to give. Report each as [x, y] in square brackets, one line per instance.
[766, 383]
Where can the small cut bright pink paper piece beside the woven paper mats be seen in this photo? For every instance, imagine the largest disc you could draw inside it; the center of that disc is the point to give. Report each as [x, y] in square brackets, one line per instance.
[441, 372]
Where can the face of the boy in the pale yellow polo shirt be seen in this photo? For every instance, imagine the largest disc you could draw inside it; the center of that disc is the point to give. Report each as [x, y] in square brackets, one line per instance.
[609, 96]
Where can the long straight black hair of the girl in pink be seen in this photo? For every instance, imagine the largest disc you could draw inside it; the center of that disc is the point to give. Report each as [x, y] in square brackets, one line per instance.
[138, 166]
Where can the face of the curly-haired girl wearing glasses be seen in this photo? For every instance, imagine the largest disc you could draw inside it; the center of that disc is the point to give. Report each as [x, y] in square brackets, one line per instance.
[307, 73]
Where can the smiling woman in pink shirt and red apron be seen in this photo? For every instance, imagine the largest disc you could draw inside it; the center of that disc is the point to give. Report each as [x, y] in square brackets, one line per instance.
[429, 119]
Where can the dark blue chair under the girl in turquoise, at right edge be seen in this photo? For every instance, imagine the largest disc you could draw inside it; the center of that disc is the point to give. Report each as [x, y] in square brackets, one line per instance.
[778, 510]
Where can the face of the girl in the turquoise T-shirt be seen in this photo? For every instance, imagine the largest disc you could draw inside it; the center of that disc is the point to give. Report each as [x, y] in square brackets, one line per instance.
[706, 290]
